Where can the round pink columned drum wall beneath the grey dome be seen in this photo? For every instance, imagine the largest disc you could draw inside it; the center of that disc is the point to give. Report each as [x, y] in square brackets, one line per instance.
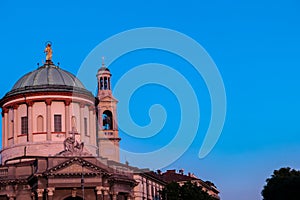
[46, 142]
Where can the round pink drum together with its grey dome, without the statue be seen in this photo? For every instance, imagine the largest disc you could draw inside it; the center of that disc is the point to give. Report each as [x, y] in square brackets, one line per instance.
[37, 121]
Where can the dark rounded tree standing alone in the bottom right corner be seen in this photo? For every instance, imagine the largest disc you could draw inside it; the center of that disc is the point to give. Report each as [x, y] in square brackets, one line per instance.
[283, 184]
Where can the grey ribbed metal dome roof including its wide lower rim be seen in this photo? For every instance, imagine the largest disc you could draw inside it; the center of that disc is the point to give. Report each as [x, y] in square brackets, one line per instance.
[48, 78]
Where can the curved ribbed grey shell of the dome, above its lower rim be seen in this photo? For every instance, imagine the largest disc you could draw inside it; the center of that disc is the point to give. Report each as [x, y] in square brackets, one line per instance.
[48, 74]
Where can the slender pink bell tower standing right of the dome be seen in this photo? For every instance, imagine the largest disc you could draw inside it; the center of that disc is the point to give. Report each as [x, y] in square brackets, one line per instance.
[108, 134]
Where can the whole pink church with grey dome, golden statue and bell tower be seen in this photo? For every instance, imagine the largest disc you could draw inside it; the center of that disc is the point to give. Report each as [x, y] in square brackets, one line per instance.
[60, 142]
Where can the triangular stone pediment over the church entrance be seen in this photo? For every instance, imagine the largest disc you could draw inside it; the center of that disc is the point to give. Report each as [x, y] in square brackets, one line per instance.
[76, 166]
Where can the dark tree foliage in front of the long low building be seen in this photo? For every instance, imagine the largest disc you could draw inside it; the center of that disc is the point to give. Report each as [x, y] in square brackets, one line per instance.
[188, 191]
